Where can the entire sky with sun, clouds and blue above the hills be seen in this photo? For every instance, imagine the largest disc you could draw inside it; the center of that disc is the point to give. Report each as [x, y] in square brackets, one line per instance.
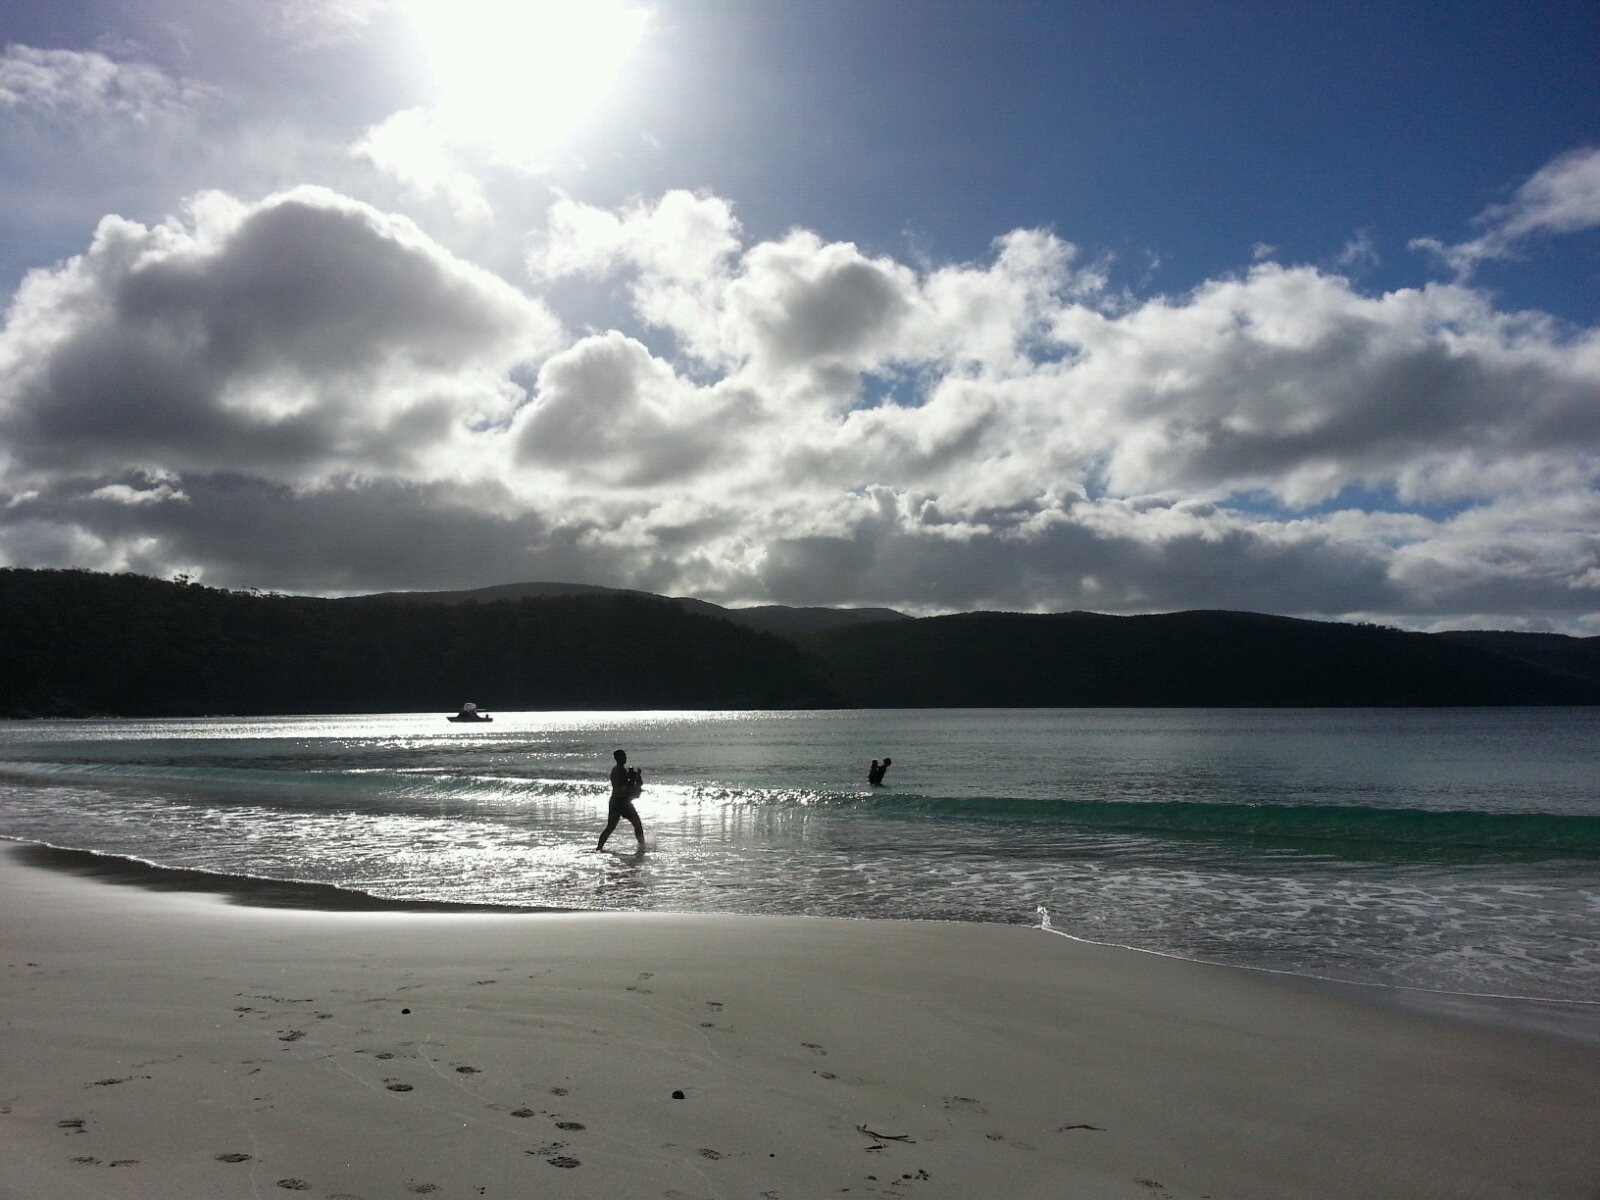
[1122, 306]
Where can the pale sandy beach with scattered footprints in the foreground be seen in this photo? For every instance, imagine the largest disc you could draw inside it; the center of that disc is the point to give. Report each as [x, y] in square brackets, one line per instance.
[178, 1046]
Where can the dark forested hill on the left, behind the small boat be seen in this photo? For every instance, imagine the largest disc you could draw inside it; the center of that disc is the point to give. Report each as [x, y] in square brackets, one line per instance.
[79, 644]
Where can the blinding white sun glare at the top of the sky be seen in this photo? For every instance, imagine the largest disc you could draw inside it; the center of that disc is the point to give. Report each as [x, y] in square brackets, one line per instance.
[522, 74]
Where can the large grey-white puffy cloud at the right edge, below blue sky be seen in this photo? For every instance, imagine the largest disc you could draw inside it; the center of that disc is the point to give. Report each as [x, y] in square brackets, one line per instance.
[1290, 382]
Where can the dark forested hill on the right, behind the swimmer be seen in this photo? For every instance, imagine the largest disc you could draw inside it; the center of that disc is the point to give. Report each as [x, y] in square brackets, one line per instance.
[1182, 660]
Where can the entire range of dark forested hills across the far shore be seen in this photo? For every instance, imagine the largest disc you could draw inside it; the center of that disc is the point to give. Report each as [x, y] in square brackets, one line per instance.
[84, 644]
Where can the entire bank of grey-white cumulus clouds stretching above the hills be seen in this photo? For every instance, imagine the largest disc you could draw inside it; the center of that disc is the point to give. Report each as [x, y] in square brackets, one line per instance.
[790, 420]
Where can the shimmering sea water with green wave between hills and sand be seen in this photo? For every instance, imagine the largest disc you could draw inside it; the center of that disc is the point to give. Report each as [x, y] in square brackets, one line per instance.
[1439, 849]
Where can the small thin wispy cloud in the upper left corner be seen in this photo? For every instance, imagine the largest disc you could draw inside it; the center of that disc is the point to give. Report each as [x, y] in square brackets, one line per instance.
[68, 82]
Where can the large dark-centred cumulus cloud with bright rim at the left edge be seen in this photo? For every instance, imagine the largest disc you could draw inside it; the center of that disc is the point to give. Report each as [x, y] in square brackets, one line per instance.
[300, 337]
